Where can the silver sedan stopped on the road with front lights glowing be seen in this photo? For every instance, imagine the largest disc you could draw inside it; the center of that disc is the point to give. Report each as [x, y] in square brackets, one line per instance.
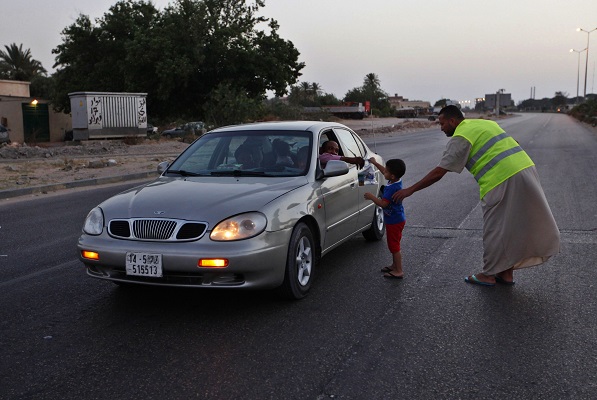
[245, 206]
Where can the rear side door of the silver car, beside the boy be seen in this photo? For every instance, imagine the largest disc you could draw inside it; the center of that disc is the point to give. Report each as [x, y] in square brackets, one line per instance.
[354, 147]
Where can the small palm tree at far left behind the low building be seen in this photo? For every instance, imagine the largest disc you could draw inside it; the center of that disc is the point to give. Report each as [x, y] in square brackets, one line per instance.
[18, 65]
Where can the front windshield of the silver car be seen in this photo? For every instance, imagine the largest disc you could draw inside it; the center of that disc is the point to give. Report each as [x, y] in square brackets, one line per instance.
[246, 153]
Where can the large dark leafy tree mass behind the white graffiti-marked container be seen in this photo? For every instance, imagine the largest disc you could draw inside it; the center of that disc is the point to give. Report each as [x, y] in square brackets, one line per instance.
[181, 57]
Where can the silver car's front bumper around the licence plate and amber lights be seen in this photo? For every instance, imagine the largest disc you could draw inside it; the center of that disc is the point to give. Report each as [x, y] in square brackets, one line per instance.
[256, 263]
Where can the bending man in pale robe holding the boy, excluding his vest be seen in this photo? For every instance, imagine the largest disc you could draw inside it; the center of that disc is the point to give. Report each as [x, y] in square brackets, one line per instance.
[519, 230]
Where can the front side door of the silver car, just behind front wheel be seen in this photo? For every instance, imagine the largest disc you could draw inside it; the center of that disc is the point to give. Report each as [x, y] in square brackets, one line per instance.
[341, 204]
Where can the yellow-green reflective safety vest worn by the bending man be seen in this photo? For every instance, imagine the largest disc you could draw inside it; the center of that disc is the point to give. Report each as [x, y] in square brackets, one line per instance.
[495, 156]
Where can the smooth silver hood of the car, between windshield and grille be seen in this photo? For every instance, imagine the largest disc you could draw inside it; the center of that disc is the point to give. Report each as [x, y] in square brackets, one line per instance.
[205, 199]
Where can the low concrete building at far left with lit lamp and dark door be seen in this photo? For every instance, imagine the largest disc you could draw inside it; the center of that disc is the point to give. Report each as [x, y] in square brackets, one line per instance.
[28, 119]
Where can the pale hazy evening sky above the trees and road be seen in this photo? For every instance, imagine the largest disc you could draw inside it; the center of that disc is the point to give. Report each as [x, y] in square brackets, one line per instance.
[421, 50]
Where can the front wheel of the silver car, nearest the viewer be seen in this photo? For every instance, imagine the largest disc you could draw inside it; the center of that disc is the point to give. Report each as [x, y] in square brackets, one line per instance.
[299, 264]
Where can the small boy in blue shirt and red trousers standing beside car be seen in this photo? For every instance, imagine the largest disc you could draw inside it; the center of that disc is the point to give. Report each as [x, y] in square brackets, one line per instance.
[393, 213]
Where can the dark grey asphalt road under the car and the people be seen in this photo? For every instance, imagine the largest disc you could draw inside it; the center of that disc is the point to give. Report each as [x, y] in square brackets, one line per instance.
[356, 336]
